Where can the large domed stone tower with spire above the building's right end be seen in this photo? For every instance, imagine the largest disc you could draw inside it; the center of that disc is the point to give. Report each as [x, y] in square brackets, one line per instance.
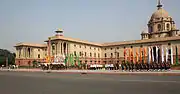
[161, 24]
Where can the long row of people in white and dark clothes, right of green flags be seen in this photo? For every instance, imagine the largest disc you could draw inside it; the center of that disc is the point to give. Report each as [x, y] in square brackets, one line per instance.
[133, 66]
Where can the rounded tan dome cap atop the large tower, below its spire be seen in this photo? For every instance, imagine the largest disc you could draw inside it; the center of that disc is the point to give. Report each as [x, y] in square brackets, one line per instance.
[160, 13]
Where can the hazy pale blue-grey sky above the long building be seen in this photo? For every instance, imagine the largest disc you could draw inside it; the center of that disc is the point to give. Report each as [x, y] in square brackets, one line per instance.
[94, 20]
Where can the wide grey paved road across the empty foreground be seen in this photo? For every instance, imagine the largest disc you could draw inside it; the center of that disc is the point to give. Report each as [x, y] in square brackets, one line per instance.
[61, 83]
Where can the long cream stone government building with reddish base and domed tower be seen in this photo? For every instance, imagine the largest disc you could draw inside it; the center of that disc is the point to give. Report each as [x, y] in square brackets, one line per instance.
[161, 39]
